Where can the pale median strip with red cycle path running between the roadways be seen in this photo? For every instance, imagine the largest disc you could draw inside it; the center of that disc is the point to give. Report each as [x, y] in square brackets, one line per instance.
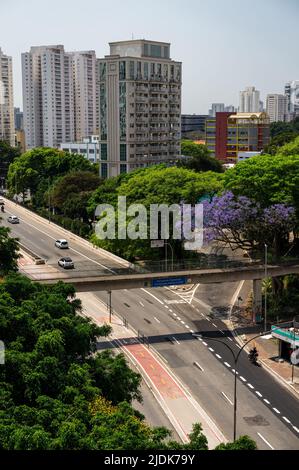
[180, 407]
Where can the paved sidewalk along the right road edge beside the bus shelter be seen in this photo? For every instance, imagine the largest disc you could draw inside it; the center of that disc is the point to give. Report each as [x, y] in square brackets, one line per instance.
[241, 319]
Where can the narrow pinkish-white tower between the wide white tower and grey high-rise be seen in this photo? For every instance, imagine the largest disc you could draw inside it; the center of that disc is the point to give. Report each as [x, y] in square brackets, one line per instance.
[85, 93]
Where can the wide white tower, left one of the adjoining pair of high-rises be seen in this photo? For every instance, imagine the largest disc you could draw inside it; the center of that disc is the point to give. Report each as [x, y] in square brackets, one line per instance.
[48, 96]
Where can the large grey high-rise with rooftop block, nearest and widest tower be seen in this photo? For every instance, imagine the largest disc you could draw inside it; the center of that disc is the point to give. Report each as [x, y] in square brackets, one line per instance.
[139, 106]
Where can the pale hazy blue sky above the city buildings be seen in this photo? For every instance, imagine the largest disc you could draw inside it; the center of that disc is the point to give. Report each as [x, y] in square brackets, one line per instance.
[224, 45]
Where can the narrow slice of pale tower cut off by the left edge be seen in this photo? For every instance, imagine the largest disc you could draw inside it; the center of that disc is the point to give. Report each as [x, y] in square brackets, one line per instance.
[7, 126]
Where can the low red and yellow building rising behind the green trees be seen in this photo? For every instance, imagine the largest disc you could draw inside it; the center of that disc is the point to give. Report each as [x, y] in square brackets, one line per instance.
[228, 134]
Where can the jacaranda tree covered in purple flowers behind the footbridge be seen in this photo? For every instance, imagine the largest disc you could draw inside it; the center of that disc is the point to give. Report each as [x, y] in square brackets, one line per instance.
[242, 223]
